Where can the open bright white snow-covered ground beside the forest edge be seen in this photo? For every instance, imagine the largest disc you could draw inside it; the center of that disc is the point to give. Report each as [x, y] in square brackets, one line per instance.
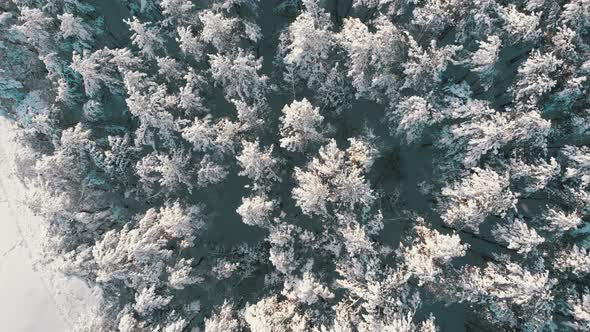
[33, 297]
